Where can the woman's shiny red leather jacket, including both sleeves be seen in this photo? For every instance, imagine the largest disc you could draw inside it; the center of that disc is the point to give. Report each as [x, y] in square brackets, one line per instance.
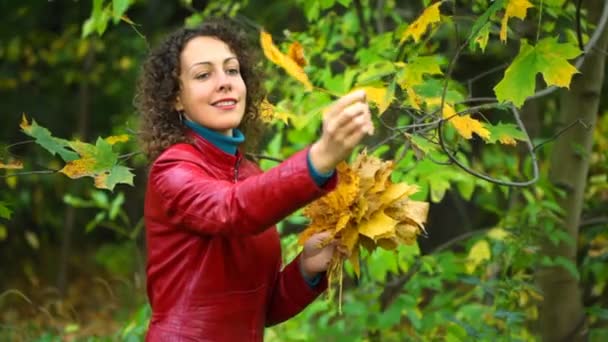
[214, 255]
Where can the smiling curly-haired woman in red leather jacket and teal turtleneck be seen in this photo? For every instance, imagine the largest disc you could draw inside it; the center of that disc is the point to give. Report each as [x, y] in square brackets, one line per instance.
[214, 258]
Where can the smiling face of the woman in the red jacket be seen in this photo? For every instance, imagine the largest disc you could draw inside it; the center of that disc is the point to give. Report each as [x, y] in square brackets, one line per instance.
[212, 92]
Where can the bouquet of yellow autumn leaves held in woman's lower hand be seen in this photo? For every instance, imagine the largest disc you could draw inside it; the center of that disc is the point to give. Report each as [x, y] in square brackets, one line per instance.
[366, 209]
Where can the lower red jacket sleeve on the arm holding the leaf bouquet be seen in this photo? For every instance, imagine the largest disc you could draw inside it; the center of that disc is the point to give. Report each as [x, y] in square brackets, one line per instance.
[291, 294]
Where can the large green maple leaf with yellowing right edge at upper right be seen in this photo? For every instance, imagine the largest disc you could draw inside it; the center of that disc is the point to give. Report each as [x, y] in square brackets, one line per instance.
[548, 57]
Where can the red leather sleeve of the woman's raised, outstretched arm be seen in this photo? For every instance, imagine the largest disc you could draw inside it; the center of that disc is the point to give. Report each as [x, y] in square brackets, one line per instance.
[194, 200]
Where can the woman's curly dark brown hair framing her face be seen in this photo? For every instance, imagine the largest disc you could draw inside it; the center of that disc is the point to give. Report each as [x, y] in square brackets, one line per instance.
[159, 84]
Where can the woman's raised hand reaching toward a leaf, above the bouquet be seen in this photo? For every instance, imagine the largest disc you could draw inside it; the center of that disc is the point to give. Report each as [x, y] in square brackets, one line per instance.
[345, 123]
